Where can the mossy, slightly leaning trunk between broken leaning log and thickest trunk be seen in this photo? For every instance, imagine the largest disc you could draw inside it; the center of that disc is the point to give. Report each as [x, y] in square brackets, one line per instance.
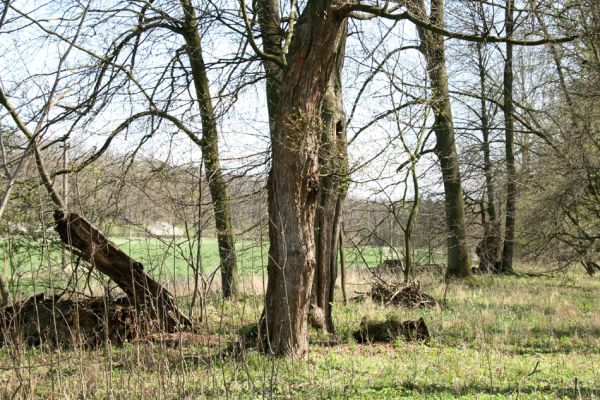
[210, 153]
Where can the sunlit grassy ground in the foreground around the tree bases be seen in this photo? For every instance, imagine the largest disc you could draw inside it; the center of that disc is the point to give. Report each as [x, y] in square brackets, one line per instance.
[516, 337]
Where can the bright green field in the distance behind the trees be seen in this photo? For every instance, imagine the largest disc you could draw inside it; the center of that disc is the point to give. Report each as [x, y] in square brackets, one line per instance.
[35, 262]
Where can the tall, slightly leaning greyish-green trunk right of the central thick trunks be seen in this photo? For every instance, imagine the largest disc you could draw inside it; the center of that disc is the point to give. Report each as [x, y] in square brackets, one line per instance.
[432, 47]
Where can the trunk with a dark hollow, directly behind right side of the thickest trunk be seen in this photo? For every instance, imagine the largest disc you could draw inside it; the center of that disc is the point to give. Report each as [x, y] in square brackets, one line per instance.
[333, 161]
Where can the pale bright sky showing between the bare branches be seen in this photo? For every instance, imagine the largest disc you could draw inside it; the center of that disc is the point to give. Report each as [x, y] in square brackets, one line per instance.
[30, 57]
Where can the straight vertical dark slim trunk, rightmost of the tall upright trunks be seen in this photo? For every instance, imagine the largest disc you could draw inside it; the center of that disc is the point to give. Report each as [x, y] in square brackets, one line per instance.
[511, 172]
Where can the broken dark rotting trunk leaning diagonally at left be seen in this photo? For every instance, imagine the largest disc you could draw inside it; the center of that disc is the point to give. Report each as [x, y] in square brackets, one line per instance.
[148, 296]
